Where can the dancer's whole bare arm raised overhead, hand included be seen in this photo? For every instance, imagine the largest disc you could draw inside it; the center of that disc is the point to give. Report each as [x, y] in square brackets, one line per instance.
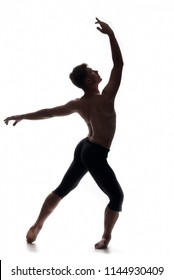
[115, 77]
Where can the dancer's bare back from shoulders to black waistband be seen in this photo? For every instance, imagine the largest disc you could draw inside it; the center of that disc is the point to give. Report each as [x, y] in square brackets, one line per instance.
[99, 114]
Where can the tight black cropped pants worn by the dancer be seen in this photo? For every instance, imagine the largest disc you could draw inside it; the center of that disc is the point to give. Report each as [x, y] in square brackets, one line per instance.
[89, 156]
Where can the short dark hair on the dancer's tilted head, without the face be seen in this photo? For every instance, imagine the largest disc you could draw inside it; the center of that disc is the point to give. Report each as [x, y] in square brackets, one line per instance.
[78, 75]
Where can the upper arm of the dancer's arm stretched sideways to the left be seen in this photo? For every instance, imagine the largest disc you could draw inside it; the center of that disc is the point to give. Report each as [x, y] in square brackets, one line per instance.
[64, 110]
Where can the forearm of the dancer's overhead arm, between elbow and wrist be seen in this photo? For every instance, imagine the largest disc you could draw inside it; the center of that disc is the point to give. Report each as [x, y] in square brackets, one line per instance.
[115, 50]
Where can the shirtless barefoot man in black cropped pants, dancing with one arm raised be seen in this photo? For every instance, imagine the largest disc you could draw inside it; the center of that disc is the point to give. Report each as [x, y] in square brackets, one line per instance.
[97, 110]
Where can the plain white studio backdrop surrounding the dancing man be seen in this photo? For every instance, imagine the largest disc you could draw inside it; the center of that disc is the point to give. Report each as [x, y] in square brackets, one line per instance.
[41, 41]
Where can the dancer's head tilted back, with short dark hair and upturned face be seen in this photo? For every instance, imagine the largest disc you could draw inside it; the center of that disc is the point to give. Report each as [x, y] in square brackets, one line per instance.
[84, 77]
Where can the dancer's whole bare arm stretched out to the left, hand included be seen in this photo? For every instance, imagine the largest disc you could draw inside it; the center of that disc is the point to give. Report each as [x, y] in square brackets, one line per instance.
[63, 110]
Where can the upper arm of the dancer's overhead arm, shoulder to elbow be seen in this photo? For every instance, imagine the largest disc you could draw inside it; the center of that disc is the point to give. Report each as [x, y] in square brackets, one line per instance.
[114, 81]
